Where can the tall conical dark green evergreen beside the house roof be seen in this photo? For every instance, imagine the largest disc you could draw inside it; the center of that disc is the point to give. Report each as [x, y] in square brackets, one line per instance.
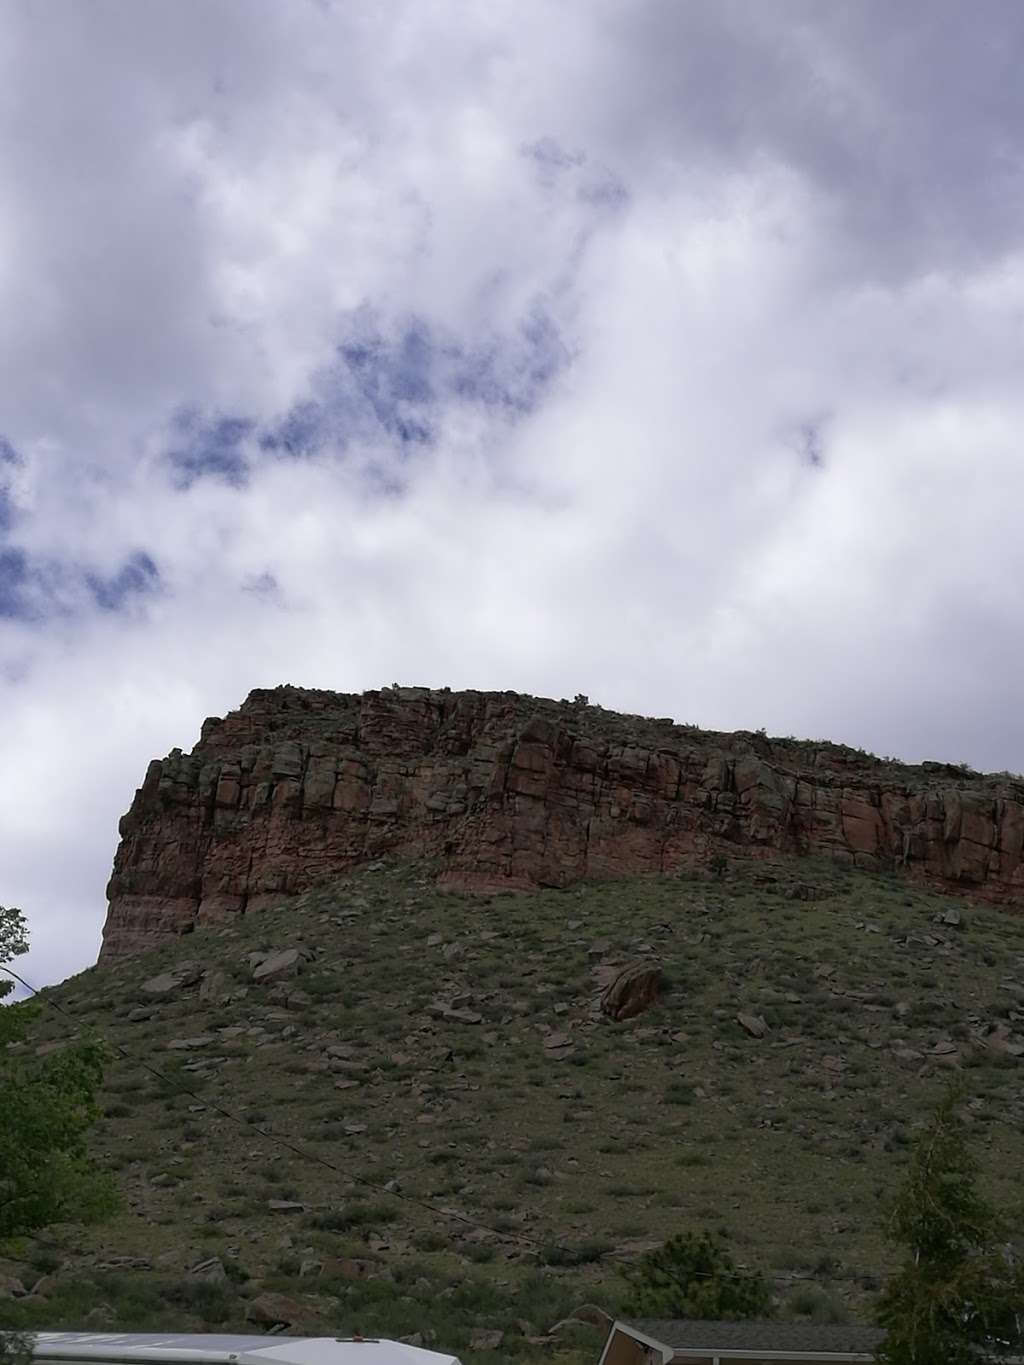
[958, 1297]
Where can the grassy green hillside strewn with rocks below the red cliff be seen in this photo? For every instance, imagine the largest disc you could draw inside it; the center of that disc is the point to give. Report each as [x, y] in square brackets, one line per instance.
[449, 1048]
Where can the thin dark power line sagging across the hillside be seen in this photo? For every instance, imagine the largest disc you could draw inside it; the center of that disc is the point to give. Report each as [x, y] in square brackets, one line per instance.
[252, 1125]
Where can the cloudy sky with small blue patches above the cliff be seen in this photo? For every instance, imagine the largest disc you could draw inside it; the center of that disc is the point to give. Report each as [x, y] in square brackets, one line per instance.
[668, 353]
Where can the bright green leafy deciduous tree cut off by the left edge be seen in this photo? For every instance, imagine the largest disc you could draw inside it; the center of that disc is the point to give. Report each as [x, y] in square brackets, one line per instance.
[47, 1106]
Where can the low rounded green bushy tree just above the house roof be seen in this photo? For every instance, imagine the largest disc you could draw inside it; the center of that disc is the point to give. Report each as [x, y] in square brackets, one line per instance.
[694, 1276]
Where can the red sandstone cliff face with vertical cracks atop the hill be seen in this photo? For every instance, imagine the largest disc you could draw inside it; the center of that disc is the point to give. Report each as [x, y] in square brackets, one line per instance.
[511, 791]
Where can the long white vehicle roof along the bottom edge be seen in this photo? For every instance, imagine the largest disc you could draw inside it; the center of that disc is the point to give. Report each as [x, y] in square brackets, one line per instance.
[154, 1349]
